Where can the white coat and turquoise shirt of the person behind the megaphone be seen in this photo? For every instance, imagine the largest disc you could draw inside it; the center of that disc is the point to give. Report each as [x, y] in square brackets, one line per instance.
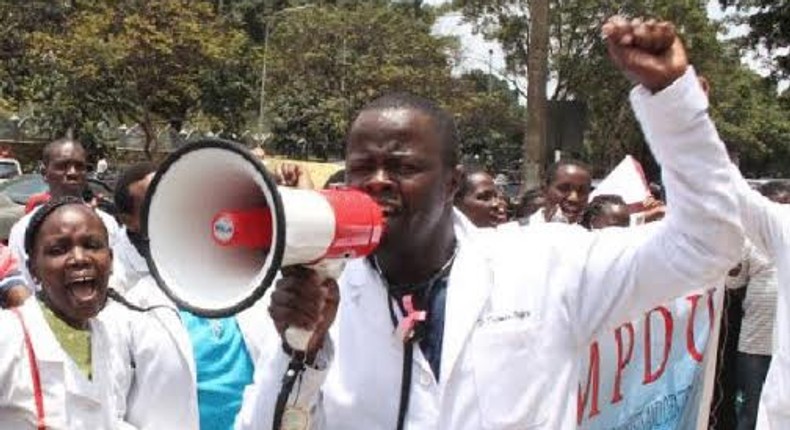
[195, 384]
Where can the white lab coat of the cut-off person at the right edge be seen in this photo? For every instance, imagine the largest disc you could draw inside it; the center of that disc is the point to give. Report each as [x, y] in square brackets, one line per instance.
[767, 225]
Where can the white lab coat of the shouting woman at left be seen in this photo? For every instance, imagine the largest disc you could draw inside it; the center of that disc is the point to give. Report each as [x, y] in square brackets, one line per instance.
[71, 400]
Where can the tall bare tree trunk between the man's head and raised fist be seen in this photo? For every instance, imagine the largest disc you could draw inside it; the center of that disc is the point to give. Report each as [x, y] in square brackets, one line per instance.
[537, 75]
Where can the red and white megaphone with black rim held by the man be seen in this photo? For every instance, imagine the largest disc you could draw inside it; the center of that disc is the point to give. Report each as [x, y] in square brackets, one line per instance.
[218, 228]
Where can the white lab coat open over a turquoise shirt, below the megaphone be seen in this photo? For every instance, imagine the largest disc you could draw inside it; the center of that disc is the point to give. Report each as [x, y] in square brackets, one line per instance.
[154, 392]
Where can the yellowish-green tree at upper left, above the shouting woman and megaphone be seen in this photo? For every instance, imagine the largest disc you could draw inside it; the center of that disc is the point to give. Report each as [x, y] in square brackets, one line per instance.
[154, 63]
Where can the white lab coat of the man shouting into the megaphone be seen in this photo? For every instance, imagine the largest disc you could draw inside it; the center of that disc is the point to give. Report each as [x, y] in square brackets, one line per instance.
[524, 302]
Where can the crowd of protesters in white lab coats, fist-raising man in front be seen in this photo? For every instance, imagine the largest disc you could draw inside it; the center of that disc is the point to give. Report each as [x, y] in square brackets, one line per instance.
[491, 304]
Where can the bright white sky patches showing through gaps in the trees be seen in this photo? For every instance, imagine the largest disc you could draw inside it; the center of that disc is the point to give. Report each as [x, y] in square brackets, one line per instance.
[478, 53]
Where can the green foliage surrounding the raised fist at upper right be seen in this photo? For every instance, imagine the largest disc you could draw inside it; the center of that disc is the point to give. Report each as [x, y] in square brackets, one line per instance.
[582, 71]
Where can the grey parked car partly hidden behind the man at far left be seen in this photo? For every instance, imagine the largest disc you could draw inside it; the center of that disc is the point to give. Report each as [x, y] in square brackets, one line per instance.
[15, 193]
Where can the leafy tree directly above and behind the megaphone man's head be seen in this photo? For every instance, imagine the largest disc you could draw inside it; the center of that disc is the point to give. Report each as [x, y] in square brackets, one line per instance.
[347, 55]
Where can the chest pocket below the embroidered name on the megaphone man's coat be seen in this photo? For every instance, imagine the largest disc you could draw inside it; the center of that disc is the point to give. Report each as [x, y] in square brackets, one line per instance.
[503, 356]
